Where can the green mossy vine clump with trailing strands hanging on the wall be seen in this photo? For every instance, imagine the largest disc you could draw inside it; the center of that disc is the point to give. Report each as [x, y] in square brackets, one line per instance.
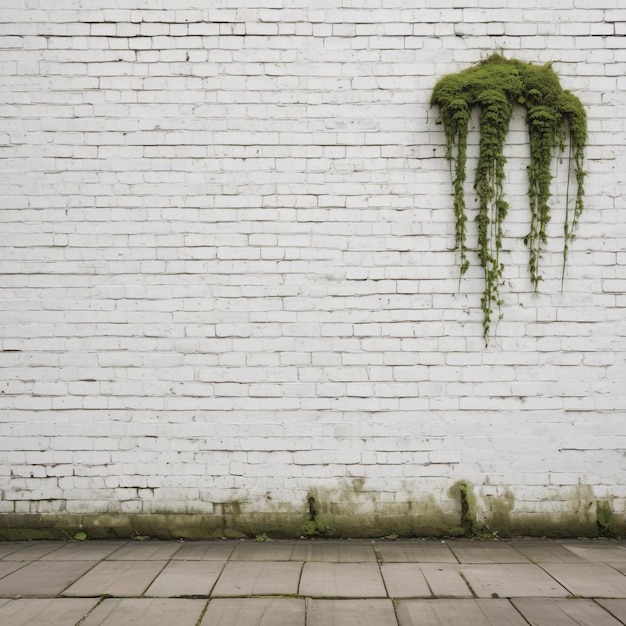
[496, 85]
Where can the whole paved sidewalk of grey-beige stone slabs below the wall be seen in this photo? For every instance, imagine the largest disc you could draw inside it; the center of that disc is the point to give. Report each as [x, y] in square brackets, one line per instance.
[313, 583]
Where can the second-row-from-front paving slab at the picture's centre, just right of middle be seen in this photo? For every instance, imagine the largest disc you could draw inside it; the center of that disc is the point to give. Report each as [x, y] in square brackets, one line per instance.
[342, 580]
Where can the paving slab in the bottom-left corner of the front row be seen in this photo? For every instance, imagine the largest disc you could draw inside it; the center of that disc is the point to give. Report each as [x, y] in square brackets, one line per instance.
[48, 612]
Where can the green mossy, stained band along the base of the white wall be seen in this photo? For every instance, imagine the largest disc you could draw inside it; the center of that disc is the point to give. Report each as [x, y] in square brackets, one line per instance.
[349, 510]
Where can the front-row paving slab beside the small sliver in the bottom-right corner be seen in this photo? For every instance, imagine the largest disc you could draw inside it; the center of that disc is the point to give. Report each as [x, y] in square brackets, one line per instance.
[563, 612]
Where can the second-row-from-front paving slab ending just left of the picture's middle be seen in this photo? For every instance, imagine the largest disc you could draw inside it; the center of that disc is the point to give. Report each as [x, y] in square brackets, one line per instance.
[258, 578]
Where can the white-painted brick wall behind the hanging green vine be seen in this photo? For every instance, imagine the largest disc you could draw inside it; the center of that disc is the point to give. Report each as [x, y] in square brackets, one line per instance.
[227, 273]
